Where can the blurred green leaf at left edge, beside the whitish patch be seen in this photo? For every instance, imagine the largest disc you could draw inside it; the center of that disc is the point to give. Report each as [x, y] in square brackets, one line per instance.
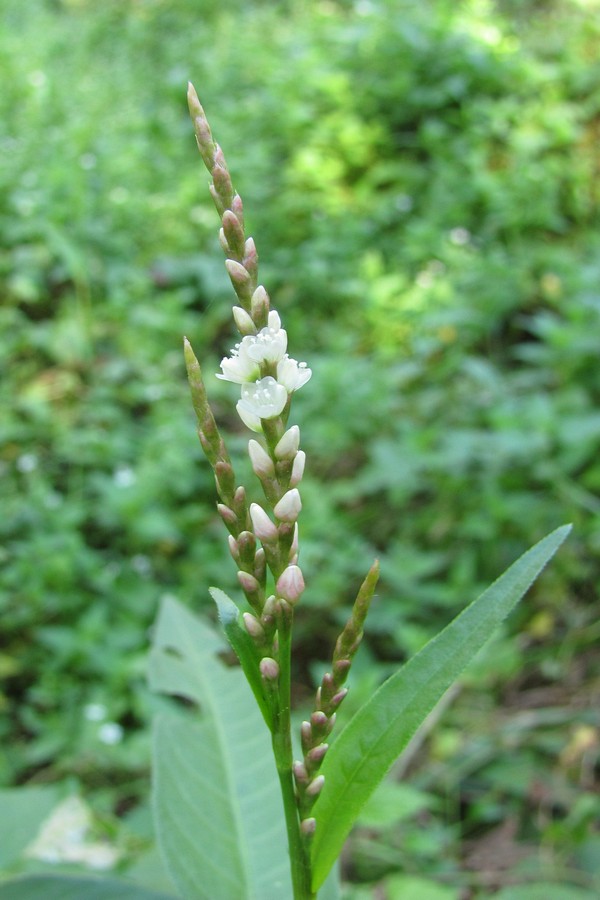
[22, 812]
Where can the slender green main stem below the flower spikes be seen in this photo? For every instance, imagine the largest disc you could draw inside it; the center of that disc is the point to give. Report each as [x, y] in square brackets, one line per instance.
[282, 750]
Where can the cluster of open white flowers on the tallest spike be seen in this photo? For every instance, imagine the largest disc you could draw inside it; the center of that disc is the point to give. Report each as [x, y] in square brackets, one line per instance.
[262, 366]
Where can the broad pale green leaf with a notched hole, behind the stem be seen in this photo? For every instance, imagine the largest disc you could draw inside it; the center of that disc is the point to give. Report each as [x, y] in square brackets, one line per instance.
[218, 810]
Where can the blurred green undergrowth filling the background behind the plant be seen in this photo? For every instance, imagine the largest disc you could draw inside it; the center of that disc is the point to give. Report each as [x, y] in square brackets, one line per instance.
[422, 181]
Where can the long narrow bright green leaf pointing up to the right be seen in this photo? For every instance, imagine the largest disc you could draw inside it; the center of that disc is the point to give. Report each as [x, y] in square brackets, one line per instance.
[381, 729]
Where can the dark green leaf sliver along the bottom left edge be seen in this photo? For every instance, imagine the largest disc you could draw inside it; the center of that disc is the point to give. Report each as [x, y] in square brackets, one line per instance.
[64, 887]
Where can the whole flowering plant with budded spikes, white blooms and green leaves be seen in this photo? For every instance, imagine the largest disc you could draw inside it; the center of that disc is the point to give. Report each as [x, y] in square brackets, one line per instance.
[239, 813]
